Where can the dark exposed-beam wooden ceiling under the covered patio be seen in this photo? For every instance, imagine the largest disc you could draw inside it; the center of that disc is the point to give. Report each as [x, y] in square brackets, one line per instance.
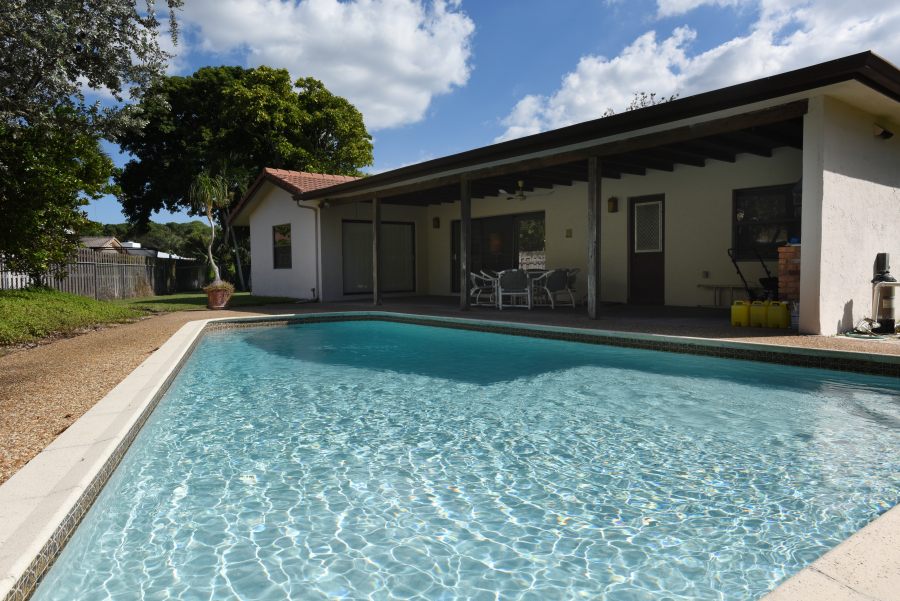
[760, 140]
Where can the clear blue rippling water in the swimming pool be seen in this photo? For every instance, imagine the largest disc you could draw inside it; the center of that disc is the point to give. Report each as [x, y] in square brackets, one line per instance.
[371, 460]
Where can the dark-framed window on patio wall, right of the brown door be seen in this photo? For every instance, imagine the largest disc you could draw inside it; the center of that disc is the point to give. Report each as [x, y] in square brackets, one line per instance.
[764, 219]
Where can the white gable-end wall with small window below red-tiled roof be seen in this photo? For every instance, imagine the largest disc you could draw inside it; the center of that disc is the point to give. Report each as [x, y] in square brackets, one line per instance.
[276, 208]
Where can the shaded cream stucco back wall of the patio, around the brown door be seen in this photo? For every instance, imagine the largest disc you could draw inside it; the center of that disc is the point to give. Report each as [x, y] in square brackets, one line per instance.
[697, 222]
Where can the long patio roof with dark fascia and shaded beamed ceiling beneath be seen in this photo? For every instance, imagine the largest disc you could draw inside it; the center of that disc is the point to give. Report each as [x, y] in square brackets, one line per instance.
[558, 157]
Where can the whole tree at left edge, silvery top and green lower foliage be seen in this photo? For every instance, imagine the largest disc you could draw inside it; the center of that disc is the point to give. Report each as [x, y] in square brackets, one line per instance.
[50, 159]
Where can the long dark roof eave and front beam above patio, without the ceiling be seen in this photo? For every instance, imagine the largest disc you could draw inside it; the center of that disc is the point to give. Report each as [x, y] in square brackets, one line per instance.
[725, 110]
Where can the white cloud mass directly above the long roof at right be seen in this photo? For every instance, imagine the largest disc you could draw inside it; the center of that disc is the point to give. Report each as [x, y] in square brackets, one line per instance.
[787, 34]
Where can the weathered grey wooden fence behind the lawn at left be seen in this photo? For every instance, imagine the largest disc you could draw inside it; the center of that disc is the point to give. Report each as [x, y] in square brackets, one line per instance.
[106, 275]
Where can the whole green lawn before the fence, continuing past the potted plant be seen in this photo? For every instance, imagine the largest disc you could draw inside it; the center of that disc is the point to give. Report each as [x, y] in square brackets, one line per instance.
[29, 315]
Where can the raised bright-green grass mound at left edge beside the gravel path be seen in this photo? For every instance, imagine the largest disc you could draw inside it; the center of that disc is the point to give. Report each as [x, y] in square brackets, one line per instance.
[28, 315]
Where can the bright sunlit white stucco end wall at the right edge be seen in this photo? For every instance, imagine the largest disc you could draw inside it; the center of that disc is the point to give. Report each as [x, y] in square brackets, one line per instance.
[851, 204]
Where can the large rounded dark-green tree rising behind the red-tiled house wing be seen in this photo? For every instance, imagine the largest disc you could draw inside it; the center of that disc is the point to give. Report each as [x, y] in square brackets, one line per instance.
[235, 121]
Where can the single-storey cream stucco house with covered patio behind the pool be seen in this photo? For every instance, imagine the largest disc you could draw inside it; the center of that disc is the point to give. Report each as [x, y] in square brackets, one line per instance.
[645, 203]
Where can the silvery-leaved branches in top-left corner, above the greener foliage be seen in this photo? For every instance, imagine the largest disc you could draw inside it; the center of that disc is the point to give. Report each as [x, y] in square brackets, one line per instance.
[51, 49]
